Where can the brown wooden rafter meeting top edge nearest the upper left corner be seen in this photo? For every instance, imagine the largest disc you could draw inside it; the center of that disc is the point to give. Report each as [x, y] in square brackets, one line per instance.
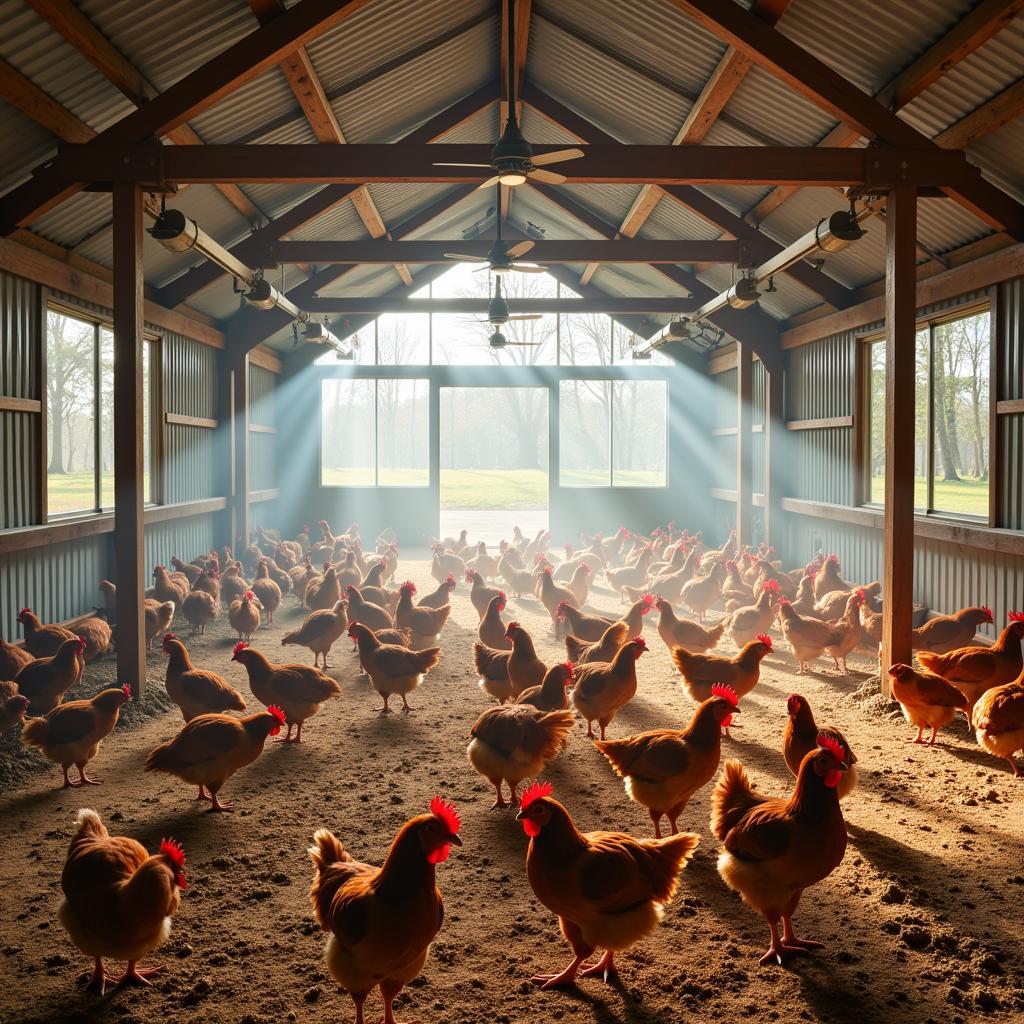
[70, 22]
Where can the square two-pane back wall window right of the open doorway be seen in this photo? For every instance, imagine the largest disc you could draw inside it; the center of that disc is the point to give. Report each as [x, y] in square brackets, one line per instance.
[613, 434]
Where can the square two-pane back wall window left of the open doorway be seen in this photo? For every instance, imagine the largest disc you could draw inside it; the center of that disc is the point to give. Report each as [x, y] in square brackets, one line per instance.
[375, 434]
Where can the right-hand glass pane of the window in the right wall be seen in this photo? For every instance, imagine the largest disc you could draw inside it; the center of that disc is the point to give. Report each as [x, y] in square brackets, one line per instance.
[960, 414]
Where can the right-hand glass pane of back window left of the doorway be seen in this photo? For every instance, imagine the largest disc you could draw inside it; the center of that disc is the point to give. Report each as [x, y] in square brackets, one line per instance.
[403, 433]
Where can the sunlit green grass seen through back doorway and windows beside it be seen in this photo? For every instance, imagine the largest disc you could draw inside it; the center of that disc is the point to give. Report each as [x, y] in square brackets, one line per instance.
[492, 489]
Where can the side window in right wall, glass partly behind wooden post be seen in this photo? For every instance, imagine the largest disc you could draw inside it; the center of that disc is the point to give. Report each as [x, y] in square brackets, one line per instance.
[951, 443]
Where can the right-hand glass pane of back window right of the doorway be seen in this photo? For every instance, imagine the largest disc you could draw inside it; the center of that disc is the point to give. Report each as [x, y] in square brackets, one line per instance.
[639, 433]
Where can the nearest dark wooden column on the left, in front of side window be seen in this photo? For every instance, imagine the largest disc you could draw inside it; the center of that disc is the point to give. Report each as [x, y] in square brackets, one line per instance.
[129, 464]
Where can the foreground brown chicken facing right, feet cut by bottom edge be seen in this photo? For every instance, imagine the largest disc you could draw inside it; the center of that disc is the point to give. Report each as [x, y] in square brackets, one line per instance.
[382, 920]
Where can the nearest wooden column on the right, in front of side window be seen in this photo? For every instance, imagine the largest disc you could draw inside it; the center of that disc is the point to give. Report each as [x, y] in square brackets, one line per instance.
[898, 567]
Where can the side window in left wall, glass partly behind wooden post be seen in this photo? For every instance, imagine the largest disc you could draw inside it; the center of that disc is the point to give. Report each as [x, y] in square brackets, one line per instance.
[80, 415]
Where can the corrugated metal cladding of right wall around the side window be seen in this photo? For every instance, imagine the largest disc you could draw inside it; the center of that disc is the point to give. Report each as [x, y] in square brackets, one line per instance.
[820, 386]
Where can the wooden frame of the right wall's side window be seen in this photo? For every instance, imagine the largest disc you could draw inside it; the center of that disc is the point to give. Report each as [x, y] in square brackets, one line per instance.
[863, 463]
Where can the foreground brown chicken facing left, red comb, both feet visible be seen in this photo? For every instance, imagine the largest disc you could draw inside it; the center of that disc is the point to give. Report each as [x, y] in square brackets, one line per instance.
[609, 889]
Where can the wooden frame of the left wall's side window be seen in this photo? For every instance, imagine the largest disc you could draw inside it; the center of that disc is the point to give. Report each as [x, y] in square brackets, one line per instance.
[101, 322]
